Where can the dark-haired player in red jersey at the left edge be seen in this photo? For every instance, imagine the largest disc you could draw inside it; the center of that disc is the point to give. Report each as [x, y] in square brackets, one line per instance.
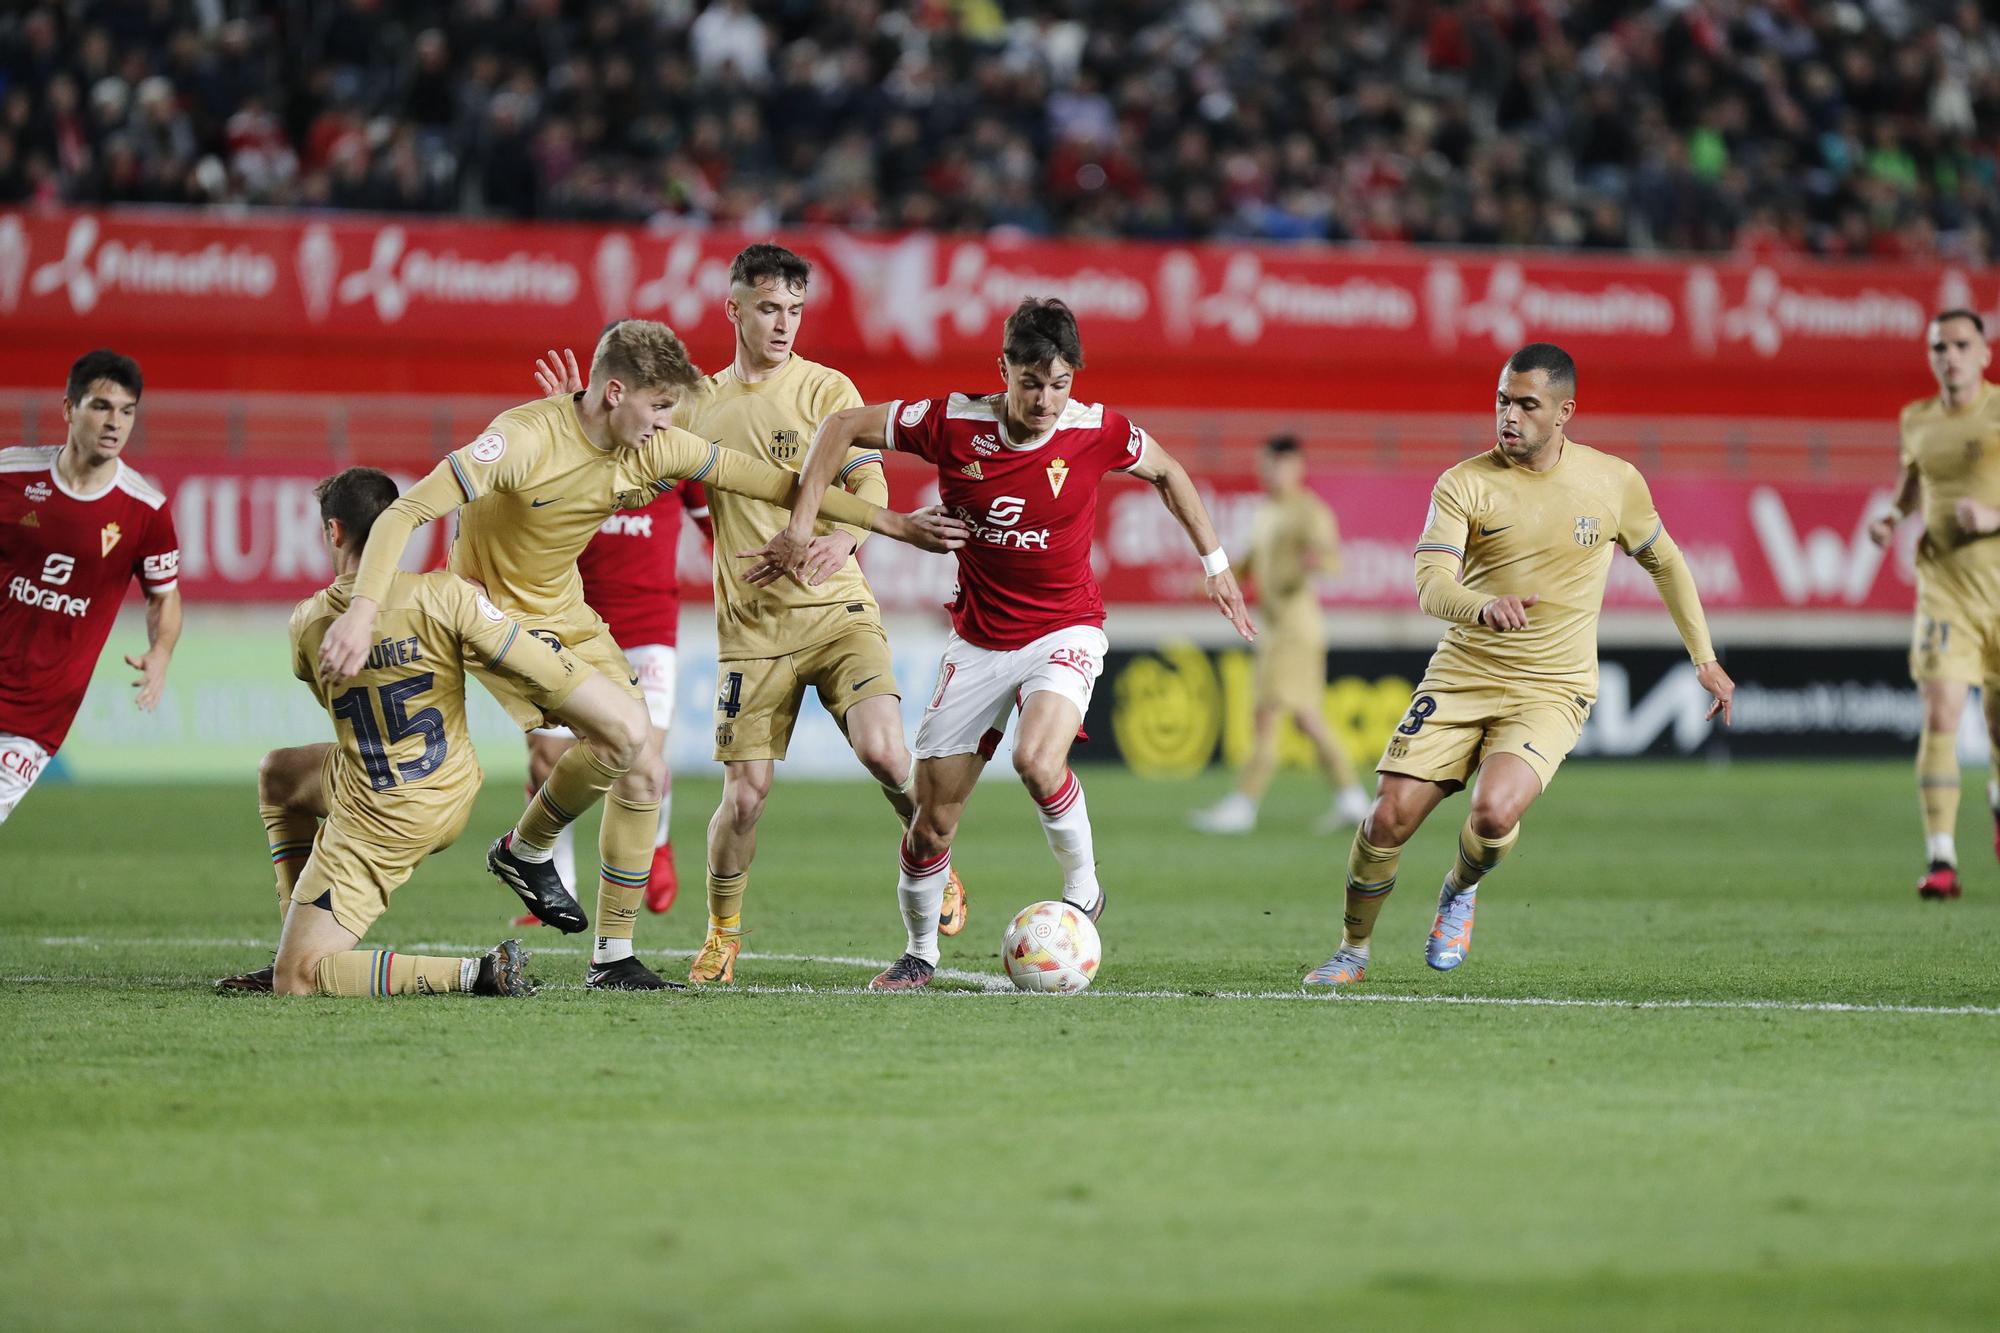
[75, 527]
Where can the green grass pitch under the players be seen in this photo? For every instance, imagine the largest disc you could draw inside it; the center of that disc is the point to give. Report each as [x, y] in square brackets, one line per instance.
[825, 1160]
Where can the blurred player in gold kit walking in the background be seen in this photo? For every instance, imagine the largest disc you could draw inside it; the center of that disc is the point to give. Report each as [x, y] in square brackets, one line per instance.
[1293, 543]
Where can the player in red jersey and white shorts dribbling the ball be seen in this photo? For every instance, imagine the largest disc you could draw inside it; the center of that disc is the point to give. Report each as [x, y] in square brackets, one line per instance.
[1023, 469]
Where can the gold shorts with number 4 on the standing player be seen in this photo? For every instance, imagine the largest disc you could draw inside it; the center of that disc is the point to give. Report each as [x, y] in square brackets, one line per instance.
[757, 700]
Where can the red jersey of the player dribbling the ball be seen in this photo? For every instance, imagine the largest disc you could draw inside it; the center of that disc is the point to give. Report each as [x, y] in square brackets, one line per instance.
[1033, 509]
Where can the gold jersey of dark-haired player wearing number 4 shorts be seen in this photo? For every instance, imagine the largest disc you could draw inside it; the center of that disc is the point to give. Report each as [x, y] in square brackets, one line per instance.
[775, 421]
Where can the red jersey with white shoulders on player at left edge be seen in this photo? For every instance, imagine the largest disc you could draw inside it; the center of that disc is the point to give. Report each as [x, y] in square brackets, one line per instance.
[65, 565]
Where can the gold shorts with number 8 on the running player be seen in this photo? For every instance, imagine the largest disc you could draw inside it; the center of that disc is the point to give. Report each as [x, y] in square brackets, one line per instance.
[1451, 730]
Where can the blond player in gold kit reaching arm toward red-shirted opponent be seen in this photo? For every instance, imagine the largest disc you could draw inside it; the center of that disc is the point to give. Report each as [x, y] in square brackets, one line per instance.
[535, 487]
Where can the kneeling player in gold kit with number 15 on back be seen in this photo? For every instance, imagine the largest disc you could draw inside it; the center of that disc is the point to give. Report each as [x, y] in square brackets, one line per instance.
[401, 780]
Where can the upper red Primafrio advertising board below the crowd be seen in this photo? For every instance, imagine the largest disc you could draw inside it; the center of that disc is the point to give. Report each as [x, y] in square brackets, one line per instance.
[355, 303]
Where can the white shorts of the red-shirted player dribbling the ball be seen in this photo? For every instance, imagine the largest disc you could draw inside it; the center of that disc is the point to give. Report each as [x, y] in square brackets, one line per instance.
[979, 688]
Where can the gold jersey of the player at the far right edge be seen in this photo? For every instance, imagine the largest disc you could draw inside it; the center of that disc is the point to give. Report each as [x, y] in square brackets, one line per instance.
[1957, 455]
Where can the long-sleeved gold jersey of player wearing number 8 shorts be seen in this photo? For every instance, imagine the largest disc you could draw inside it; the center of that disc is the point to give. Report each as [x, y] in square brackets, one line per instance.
[1549, 535]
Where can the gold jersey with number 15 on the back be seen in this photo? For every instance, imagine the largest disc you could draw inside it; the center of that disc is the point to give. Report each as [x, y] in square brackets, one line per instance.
[403, 762]
